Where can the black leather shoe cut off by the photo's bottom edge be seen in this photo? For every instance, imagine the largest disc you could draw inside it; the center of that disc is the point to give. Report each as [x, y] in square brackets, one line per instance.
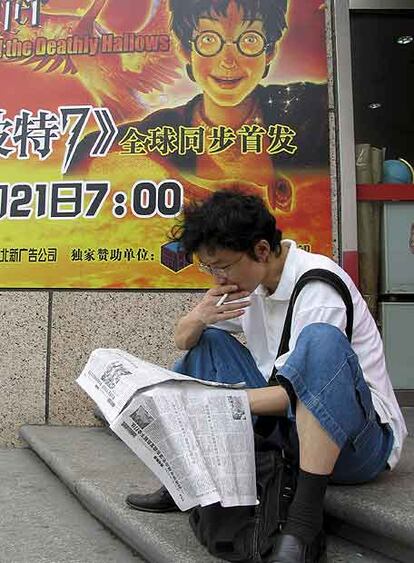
[290, 549]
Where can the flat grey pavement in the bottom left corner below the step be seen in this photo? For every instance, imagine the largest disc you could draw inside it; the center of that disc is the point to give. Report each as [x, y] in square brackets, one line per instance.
[41, 522]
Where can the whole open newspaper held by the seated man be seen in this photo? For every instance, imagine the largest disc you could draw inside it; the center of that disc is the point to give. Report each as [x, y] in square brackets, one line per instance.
[196, 436]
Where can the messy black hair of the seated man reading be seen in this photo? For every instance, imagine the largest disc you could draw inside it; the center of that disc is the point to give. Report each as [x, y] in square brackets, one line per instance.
[227, 220]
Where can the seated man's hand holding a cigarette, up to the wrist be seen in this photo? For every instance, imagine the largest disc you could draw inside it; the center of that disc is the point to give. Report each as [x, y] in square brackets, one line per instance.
[207, 312]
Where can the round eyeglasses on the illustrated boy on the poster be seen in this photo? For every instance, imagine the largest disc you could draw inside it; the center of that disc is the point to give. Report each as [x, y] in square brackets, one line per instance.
[210, 43]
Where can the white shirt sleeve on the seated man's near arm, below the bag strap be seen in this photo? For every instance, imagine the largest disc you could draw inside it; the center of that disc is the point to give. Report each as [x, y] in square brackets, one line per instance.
[316, 303]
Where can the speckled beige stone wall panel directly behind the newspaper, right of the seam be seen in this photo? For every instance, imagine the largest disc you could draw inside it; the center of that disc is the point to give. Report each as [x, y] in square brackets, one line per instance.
[140, 322]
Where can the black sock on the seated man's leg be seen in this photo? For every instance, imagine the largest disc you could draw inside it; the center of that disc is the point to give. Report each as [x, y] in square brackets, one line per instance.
[305, 517]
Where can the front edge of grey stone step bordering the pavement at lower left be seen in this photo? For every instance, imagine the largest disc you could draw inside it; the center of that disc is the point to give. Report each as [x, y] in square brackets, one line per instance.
[92, 499]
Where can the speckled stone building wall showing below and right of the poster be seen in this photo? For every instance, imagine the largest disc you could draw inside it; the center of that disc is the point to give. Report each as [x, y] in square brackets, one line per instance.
[47, 336]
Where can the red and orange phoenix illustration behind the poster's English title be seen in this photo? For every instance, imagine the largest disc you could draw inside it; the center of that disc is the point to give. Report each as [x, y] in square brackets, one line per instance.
[115, 80]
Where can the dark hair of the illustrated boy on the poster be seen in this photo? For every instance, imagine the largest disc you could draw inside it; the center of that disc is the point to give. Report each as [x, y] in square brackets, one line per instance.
[186, 13]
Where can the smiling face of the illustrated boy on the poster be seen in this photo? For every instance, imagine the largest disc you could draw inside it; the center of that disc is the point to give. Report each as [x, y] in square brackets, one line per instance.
[228, 77]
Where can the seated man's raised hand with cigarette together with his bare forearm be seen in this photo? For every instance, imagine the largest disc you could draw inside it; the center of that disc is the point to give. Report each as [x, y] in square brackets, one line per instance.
[190, 327]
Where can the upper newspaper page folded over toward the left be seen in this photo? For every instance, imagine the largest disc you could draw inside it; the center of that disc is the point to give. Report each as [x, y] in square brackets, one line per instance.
[112, 376]
